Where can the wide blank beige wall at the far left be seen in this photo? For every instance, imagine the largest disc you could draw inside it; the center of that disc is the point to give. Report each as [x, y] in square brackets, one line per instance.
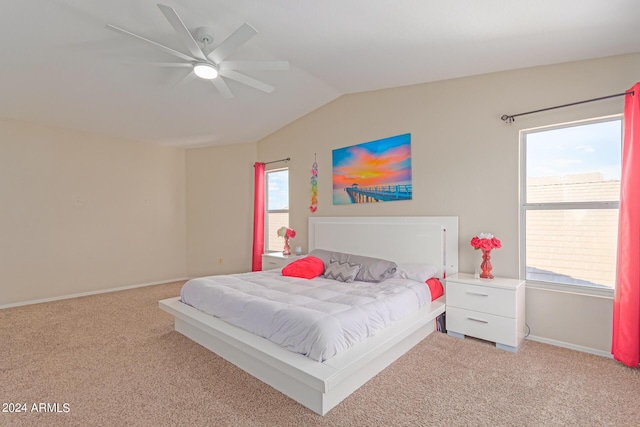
[83, 213]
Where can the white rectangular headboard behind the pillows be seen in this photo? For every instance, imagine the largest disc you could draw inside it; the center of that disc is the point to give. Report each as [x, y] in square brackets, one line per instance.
[426, 239]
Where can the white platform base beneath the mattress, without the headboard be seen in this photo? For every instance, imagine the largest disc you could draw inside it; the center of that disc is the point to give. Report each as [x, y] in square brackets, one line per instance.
[318, 386]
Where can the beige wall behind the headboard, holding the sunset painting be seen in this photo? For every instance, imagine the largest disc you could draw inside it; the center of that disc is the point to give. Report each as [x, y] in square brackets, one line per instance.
[465, 162]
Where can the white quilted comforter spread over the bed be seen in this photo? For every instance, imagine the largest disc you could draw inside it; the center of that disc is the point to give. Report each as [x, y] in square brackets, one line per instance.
[318, 318]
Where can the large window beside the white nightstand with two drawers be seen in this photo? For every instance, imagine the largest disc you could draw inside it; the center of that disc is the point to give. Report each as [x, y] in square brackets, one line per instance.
[570, 191]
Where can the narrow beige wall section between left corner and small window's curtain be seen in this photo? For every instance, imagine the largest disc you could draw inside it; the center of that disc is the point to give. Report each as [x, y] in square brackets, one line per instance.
[220, 209]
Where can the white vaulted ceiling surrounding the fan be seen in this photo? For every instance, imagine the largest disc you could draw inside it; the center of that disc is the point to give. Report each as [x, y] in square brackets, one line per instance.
[61, 66]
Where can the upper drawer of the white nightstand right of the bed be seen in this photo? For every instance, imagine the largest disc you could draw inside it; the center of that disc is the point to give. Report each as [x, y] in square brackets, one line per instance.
[500, 302]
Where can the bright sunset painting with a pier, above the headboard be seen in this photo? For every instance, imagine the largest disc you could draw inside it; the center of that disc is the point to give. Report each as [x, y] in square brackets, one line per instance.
[376, 171]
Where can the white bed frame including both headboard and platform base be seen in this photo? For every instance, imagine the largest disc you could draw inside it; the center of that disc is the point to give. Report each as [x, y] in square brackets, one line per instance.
[321, 386]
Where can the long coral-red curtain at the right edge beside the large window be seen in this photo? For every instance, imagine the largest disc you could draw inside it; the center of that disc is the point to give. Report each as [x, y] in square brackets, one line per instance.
[625, 345]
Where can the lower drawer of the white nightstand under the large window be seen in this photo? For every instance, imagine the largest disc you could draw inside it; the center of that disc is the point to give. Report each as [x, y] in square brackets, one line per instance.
[484, 326]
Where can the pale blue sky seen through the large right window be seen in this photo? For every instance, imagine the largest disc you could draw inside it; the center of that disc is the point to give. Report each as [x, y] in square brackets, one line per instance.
[574, 150]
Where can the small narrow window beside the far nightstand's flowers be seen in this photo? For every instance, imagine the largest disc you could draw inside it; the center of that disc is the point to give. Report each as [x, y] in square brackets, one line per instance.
[277, 216]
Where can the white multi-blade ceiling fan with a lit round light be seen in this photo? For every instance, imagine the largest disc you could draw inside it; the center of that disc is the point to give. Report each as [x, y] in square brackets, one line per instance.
[209, 62]
